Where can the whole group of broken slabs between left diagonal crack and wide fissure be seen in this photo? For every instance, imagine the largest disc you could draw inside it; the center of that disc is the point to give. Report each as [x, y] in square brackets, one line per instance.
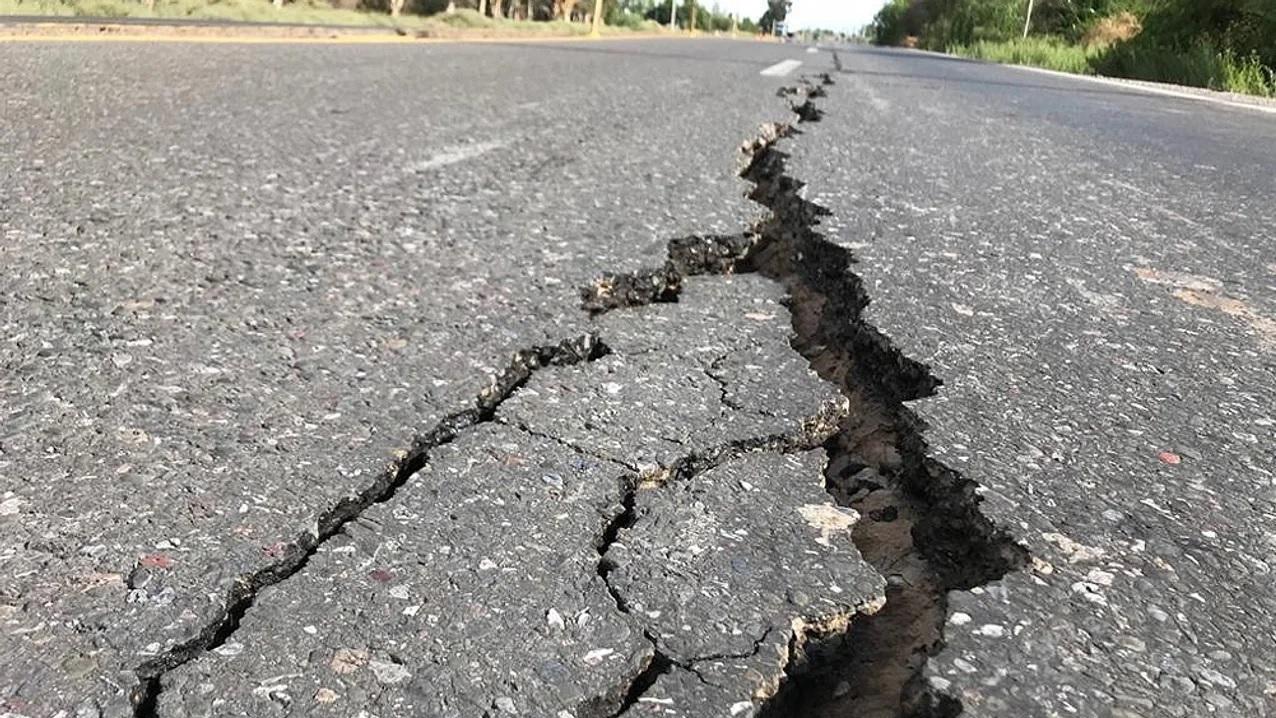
[479, 590]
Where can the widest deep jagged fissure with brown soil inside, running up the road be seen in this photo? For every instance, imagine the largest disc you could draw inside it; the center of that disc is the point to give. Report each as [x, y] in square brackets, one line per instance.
[921, 522]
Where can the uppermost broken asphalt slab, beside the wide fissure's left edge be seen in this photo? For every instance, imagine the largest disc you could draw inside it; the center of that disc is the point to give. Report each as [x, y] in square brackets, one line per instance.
[713, 373]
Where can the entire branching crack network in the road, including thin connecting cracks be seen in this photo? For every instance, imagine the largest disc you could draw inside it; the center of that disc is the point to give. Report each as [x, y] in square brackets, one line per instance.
[919, 527]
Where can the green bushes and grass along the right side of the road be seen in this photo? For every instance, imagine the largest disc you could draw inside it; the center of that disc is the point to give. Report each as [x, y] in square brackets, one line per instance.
[1222, 45]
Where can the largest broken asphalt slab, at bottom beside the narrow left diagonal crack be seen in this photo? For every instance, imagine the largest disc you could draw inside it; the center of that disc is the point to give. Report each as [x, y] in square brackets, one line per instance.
[473, 591]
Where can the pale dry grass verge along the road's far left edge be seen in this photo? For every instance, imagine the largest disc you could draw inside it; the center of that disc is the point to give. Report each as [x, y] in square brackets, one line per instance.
[464, 22]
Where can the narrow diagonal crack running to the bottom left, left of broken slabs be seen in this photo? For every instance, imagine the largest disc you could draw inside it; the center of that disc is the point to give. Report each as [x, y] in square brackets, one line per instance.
[520, 369]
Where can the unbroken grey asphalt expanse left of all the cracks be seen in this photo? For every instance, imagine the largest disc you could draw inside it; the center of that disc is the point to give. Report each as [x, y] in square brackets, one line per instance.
[226, 307]
